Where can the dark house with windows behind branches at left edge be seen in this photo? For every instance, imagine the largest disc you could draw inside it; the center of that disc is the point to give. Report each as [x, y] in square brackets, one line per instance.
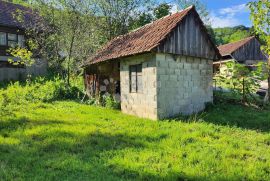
[14, 19]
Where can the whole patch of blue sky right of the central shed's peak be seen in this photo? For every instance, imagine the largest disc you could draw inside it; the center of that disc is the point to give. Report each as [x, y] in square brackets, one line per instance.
[227, 13]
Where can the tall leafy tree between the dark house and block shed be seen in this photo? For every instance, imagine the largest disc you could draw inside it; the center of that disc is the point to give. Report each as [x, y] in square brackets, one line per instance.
[64, 36]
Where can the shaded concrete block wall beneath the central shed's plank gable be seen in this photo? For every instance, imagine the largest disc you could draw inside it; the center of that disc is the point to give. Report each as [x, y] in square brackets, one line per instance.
[184, 84]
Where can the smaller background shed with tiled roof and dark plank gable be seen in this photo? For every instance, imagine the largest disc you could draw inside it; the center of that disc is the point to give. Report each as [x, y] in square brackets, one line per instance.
[246, 51]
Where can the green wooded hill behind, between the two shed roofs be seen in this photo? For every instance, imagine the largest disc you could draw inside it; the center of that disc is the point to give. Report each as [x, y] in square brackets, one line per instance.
[230, 34]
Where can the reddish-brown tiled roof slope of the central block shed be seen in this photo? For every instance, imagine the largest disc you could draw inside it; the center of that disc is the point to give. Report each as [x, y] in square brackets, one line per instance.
[141, 40]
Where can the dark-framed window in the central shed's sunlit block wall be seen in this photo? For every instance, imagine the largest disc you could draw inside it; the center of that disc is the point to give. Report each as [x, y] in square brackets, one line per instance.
[135, 77]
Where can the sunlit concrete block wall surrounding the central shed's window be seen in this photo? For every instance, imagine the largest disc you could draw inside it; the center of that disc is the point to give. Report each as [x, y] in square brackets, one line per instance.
[142, 104]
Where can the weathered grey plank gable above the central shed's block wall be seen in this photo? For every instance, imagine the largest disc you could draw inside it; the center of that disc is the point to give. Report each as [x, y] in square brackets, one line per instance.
[189, 38]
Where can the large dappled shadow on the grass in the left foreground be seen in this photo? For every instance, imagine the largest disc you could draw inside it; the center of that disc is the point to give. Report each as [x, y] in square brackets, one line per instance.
[66, 155]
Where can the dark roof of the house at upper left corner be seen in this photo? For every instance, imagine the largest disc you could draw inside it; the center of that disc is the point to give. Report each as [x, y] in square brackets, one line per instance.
[9, 11]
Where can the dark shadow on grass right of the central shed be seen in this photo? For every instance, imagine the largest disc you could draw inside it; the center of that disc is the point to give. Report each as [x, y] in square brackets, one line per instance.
[234, 115]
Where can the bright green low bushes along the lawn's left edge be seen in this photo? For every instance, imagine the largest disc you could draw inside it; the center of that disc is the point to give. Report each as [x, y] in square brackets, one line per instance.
[39, 90]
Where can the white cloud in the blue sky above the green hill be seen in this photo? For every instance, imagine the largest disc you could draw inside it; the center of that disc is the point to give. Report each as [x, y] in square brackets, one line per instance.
[227, 17]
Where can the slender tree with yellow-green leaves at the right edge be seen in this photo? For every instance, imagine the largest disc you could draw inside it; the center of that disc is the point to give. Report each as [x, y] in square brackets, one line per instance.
[260, 16]
